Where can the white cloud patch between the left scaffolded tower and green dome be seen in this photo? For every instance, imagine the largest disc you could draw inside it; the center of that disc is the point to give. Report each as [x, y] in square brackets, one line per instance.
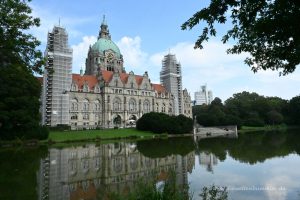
[80, 52]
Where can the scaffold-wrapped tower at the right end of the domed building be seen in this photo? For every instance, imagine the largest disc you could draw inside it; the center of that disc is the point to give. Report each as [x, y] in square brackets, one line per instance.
[170, 77]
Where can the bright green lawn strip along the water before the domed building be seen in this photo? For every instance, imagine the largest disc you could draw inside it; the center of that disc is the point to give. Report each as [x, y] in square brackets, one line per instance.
[60, 136]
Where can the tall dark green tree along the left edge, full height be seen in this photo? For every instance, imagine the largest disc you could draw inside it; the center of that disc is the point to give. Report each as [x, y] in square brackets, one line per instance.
[19, 89]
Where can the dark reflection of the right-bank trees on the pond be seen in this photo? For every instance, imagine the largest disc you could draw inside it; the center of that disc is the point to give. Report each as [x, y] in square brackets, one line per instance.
[254, 147]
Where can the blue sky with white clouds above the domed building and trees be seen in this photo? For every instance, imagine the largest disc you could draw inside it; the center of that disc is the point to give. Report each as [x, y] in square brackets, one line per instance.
[145, 31]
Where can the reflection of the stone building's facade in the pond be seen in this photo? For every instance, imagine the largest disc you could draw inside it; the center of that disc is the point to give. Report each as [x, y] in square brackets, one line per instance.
[91, 171]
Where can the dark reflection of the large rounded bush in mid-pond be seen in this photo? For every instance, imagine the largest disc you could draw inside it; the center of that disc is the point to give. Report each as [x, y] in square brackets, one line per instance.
[160, 148]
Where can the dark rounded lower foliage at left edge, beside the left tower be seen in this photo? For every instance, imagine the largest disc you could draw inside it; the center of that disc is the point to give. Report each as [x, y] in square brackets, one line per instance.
[19, 104]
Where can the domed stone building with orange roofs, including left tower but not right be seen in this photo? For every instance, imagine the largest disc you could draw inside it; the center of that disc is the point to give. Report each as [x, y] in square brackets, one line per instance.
[105, 95]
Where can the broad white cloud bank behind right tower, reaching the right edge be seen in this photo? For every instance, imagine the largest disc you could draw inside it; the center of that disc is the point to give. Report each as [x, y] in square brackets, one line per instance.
[226, 74]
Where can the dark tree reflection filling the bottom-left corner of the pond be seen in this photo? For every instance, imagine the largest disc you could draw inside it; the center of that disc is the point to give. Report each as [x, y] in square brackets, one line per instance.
[19, 166]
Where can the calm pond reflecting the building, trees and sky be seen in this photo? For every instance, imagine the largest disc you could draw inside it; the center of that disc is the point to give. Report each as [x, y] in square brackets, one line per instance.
[262, 165]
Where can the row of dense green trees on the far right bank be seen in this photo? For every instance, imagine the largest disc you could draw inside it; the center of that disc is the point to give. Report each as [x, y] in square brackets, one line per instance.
[249, 109]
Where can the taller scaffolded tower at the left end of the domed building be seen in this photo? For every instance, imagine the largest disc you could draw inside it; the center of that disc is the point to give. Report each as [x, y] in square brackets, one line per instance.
[57, 78]
